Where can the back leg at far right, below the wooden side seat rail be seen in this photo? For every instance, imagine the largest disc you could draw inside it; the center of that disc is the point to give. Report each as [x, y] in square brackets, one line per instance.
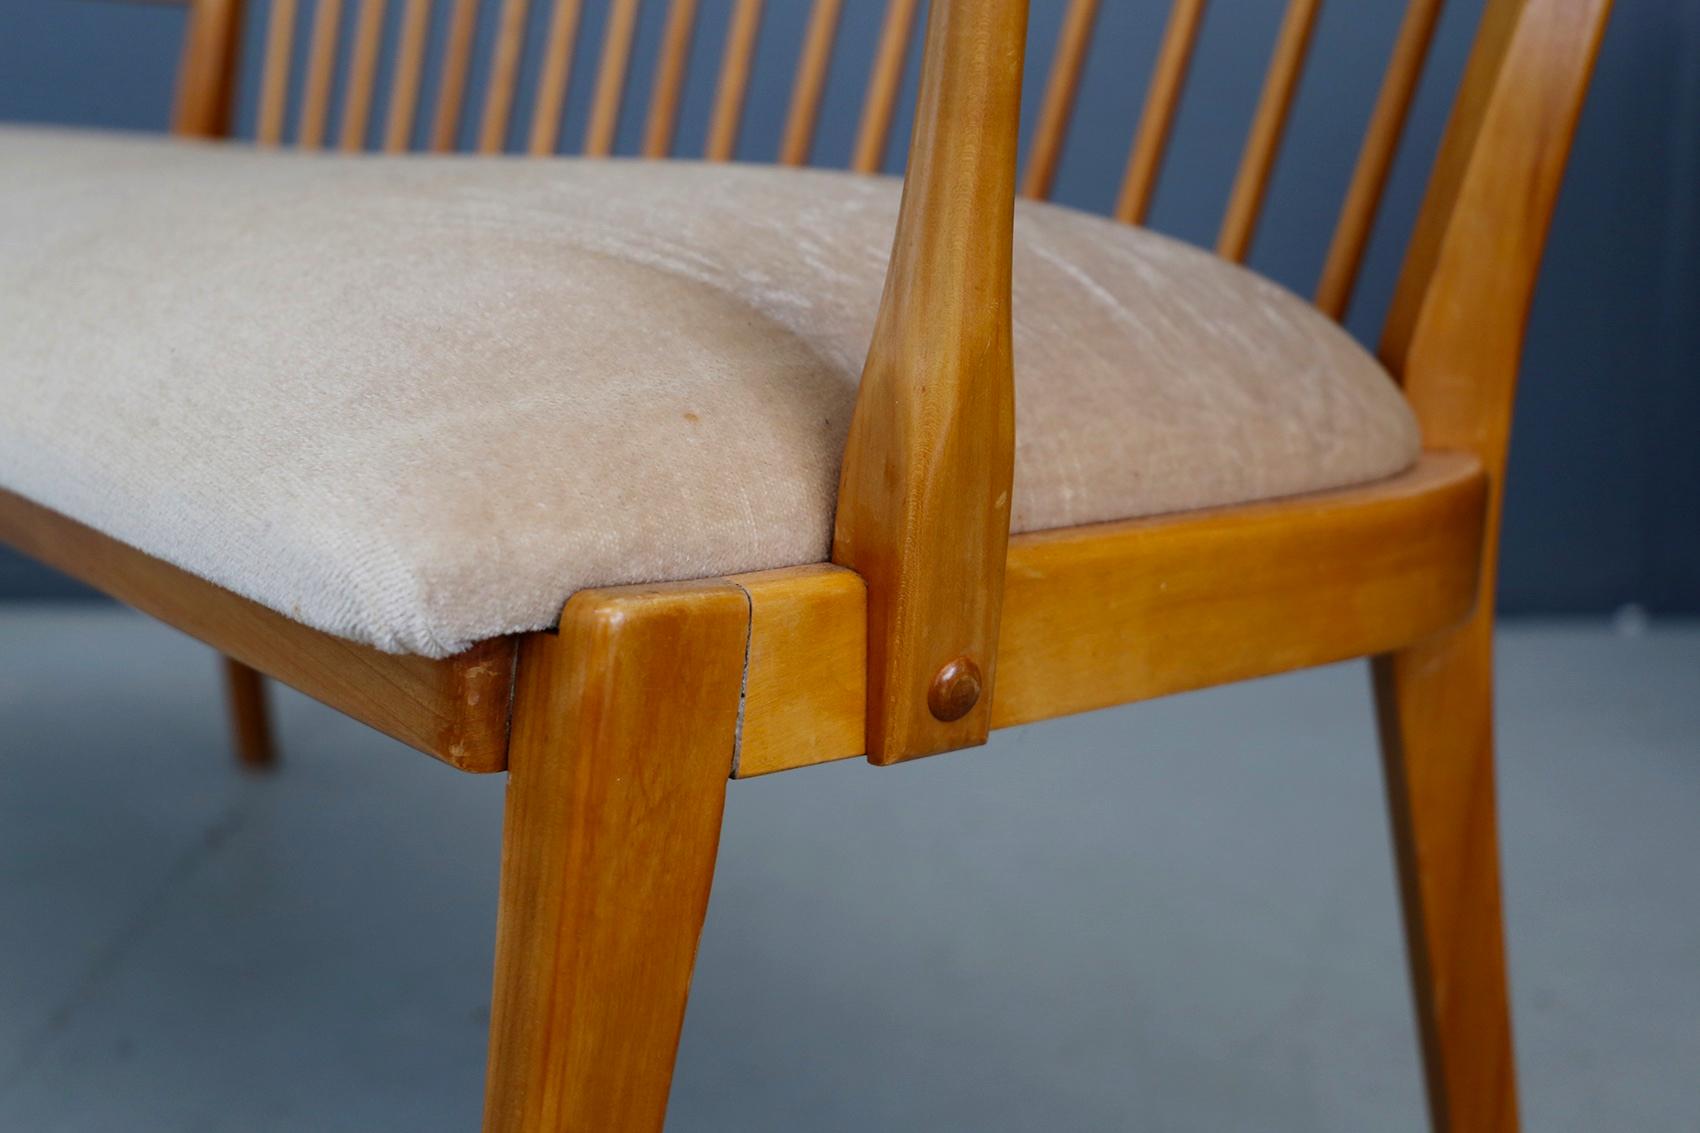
[1436, 712]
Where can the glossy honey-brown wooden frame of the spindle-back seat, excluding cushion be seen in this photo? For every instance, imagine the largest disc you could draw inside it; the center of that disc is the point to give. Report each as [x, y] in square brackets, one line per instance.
[621, 727]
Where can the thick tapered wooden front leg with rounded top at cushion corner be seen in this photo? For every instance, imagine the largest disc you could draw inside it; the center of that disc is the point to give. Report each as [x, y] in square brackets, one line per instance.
[623, 741]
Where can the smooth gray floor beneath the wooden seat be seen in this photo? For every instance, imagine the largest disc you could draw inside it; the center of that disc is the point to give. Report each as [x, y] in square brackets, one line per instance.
[1176, 916]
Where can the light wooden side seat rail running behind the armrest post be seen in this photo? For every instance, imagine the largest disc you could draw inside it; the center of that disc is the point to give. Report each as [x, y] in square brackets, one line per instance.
[1116, 613]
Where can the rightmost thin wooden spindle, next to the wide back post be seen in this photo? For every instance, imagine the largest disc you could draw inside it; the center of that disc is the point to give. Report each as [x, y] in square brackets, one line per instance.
[1381, 142]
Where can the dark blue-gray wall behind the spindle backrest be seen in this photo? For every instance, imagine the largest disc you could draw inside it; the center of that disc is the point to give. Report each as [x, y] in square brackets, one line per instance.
[1606, 475]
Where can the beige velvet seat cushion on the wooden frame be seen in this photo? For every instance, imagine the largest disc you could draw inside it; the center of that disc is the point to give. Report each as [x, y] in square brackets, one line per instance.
[419, 402]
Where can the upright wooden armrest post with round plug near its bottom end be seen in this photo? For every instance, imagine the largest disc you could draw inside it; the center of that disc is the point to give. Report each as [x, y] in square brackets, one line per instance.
[924, 499]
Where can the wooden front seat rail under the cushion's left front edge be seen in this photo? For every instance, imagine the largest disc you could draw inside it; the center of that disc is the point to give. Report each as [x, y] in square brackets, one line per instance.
[455, 710]
